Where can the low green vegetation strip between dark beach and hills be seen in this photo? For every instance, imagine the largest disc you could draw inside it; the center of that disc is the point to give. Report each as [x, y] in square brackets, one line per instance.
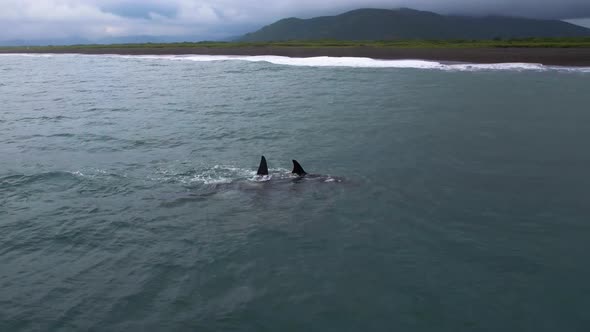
[499, 43]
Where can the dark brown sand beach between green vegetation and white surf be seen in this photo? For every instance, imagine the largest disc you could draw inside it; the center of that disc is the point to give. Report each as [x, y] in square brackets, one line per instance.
[575, 57]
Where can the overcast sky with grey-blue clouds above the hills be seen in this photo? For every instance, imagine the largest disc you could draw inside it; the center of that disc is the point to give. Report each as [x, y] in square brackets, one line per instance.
[38, 19]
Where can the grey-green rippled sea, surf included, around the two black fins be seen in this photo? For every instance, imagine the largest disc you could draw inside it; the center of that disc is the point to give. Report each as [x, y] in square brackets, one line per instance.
[454, 197]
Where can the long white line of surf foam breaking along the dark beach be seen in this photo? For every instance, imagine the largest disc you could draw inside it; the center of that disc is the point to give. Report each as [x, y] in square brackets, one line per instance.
[350, 62]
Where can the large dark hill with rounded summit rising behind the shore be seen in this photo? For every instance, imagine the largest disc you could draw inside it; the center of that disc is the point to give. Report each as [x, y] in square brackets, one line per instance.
[385, 24]
